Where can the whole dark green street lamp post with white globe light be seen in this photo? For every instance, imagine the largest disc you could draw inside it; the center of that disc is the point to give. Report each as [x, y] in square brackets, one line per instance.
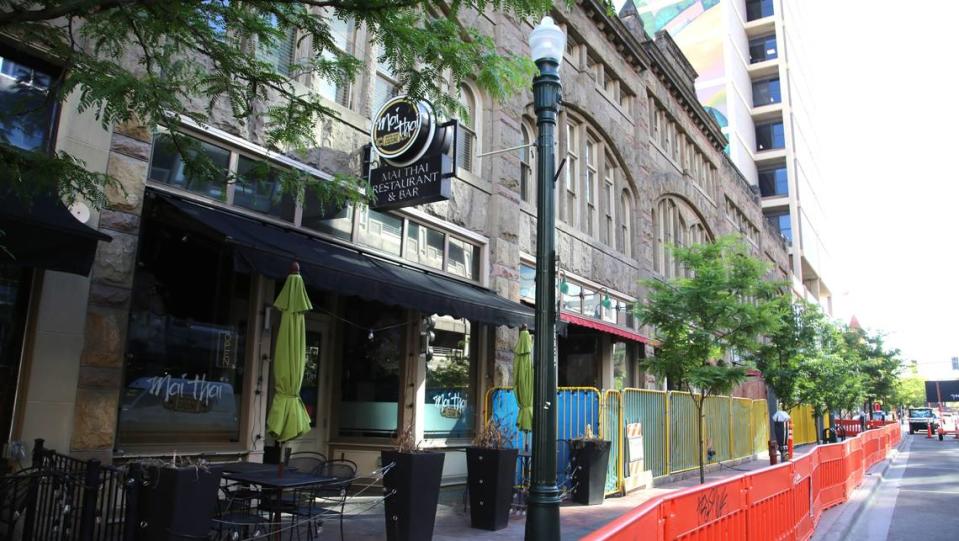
[547, 43]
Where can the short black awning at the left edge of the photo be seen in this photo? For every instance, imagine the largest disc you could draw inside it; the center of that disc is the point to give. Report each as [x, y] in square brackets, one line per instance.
[42, 233]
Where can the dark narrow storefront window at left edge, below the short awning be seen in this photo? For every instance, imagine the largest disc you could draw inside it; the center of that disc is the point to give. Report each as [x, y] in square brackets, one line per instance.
[14, 299]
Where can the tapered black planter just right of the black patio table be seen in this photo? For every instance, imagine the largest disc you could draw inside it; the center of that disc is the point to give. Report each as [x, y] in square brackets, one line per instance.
[411, 510]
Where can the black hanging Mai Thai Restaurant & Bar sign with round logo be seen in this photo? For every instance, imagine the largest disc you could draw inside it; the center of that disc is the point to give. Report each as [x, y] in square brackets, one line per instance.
[412, 146]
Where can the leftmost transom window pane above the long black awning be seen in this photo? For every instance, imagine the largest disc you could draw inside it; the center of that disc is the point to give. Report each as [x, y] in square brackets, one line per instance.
[168, 167]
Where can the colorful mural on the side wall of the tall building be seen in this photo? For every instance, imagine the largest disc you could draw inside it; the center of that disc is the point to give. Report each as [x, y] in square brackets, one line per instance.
[697, 27]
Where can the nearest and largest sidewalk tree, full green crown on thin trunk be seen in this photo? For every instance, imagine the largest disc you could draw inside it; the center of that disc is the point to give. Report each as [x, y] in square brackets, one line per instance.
[719, 310]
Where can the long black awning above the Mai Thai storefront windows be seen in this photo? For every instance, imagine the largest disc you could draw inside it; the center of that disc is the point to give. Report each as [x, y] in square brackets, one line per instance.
[269, 249]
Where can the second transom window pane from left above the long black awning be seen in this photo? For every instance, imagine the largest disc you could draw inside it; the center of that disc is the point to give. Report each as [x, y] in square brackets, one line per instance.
[259, 188]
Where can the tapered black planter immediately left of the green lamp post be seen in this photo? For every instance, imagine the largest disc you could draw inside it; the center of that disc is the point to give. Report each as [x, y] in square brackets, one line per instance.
[490, 476]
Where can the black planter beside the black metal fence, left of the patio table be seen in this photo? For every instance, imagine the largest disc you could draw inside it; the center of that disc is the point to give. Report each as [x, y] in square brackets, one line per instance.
[177, 503]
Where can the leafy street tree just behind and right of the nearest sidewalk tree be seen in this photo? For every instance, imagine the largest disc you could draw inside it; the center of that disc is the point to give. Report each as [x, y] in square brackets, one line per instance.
[782, 356]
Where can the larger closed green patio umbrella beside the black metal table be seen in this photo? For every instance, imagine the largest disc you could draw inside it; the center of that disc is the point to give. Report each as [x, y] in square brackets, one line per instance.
[288, 418]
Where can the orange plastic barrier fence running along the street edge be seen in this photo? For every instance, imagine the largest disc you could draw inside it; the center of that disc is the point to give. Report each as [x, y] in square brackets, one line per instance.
[779, 502]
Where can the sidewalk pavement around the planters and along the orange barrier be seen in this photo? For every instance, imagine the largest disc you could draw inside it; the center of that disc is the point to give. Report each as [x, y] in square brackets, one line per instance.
[367, 523]
